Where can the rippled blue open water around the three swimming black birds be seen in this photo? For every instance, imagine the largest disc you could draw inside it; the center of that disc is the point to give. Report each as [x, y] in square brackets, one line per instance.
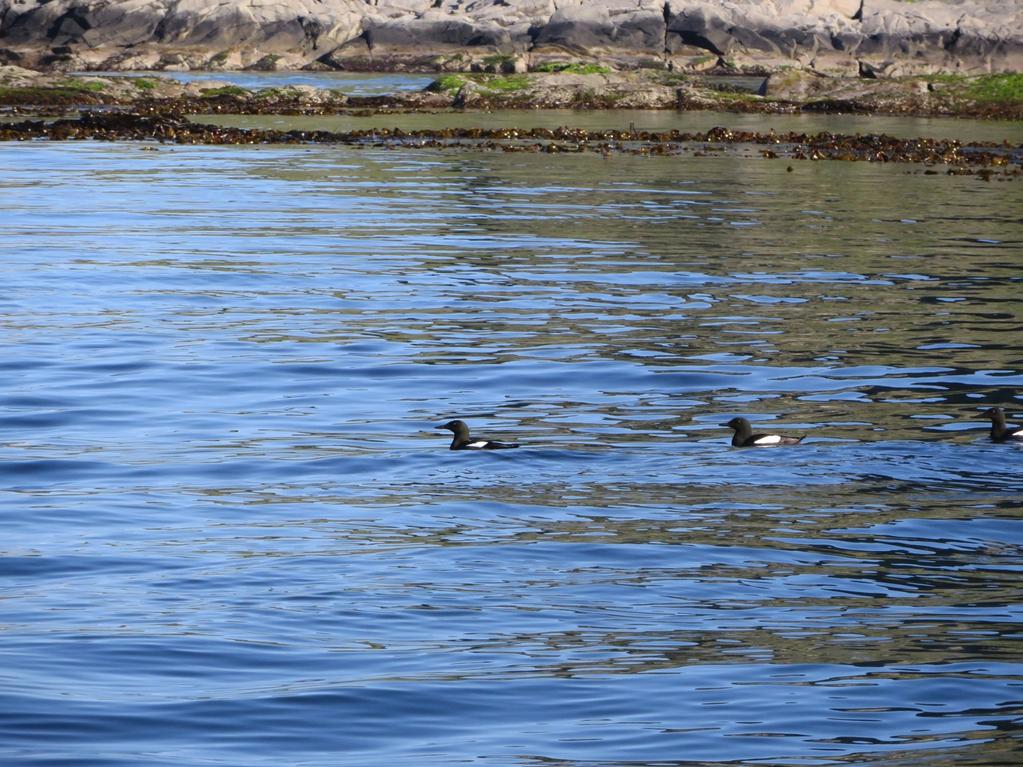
[234, 536]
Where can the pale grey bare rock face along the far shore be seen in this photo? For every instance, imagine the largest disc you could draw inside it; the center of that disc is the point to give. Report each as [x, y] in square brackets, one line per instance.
[842, 36]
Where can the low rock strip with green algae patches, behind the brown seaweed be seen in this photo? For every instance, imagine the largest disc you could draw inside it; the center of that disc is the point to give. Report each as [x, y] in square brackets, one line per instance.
[569, 86]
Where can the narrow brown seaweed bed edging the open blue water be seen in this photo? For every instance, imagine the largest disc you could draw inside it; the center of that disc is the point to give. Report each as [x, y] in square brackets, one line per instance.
[984, 159]
